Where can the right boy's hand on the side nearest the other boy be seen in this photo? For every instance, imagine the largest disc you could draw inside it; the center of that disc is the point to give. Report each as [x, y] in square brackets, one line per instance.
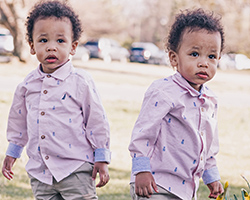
[144, 184]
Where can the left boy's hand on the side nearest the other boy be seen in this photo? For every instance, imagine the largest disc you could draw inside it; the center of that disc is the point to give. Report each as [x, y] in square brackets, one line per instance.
[102, 168]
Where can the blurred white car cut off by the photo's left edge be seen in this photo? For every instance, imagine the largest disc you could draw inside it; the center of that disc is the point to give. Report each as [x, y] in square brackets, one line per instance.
[6, 42]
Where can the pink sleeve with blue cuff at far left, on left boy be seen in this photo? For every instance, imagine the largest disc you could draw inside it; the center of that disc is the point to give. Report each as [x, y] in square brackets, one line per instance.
[17, 127]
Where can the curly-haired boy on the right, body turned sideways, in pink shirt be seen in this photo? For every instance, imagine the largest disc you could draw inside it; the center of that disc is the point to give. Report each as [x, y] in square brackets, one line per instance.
[175, 138]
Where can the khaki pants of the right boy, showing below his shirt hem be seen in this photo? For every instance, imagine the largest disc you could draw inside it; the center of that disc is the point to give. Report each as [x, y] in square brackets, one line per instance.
[162, 195]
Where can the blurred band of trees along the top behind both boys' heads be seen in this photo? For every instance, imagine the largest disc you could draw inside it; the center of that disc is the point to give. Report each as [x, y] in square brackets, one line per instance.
[137, 20]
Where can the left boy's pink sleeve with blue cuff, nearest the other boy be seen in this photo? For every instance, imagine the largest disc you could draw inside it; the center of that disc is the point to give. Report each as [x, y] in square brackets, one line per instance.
[96, 122]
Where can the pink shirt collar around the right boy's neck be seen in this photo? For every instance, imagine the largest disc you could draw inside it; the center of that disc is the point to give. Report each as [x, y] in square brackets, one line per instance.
[182, 82]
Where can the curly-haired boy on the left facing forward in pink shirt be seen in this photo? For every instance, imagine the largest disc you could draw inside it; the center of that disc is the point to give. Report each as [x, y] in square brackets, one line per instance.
[57, 113]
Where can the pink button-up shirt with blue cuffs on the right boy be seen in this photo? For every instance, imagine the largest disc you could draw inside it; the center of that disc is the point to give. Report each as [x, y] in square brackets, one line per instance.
[175, 136]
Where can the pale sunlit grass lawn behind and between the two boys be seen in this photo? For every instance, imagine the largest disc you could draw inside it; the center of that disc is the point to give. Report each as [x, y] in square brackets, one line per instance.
[234, 127]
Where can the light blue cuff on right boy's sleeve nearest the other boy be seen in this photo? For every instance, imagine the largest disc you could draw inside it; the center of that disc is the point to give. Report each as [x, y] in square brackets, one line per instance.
[140, 164]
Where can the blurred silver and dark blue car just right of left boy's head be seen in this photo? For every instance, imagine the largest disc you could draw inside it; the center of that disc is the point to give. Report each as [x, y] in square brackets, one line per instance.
[107, 49]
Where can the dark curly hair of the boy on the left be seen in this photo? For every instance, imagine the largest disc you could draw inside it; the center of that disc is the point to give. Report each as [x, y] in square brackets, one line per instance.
[56, 9]
